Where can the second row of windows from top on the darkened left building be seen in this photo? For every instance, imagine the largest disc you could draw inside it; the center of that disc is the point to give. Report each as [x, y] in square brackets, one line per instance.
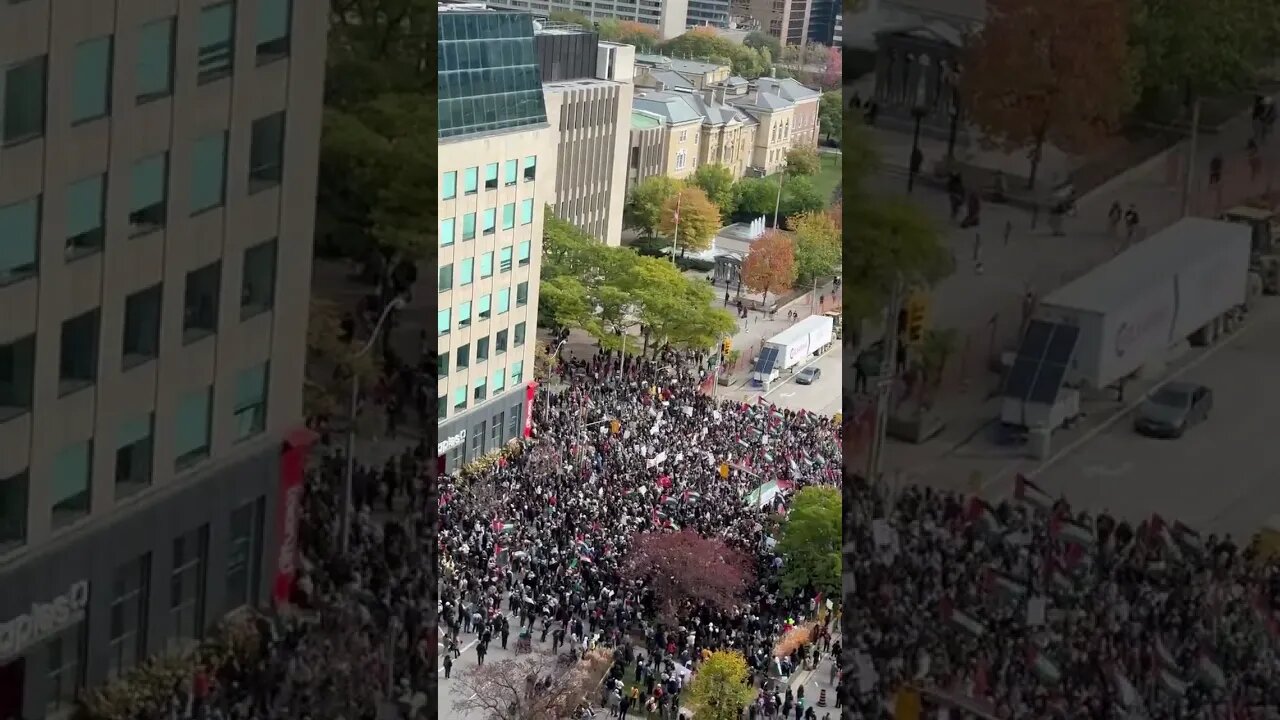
[85, 200]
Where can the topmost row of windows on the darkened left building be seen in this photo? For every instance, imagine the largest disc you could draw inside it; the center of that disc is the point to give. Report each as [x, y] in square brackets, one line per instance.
[25, 86]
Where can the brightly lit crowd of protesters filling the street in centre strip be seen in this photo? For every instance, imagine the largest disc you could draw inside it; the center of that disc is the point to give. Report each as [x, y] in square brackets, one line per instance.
[533, 548]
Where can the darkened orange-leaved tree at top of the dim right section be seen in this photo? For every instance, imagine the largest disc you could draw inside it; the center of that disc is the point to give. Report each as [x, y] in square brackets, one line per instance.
[1050, 71]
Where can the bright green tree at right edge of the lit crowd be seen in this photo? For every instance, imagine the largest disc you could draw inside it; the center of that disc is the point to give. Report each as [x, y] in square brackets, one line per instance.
[811, 543]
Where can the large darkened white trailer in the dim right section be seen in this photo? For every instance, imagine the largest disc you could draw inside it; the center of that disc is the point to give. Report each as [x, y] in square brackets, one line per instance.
[1176, 286]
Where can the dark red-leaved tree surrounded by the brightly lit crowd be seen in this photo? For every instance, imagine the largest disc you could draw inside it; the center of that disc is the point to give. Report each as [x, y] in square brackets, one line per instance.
[687, 569]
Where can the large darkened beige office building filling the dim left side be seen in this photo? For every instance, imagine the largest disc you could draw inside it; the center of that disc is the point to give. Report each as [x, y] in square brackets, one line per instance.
[158, 180]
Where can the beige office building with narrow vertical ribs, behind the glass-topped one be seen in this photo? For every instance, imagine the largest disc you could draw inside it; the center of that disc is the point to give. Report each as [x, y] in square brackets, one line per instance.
[588, 86]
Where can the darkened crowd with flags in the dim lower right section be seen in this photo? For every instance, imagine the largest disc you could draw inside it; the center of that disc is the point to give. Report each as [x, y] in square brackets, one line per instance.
[1034, 610]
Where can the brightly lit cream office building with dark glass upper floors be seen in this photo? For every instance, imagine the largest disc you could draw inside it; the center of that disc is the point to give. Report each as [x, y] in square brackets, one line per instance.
[497, 163]
